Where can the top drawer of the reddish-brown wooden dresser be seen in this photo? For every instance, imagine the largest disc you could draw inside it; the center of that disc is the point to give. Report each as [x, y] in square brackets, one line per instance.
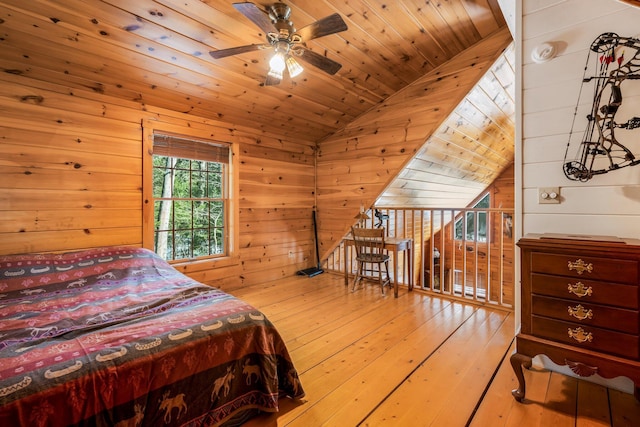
[574, 265]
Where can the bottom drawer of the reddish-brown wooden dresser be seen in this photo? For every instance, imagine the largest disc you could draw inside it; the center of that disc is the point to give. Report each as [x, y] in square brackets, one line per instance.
[610, 342]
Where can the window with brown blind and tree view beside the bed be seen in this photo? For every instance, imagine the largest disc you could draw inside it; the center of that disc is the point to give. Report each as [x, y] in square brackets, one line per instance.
[191, 197]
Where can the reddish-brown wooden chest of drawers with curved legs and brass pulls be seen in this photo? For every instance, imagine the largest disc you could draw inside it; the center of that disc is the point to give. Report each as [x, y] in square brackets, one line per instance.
[580, 306]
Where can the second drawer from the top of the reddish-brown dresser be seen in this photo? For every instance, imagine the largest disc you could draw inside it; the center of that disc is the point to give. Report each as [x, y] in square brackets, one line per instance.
[590, 291]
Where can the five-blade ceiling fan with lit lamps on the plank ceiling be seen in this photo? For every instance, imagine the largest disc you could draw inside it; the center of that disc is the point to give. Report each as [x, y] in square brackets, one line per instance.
[287, 42]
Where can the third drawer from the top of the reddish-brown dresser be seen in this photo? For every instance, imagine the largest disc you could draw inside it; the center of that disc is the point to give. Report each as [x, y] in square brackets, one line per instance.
[616, 319]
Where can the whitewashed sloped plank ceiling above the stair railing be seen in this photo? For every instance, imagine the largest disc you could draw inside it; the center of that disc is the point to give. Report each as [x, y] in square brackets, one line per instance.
[467, 151]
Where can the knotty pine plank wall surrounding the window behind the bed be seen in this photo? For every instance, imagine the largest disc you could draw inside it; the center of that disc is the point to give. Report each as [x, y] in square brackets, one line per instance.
[71, 178]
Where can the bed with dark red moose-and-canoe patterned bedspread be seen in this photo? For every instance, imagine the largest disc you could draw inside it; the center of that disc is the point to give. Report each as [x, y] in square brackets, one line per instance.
[117, 337]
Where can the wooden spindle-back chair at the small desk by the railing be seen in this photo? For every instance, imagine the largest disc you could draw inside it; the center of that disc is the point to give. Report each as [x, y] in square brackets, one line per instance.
[370, 252]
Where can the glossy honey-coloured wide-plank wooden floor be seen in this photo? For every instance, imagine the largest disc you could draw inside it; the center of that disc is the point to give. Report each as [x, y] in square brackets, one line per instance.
[418, 360]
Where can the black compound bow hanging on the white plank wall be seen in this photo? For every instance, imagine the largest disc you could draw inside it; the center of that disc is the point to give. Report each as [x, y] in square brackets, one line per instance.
[600, 151]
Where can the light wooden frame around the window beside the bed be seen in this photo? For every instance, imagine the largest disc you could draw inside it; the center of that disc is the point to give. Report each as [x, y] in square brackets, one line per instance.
[150, 129]
